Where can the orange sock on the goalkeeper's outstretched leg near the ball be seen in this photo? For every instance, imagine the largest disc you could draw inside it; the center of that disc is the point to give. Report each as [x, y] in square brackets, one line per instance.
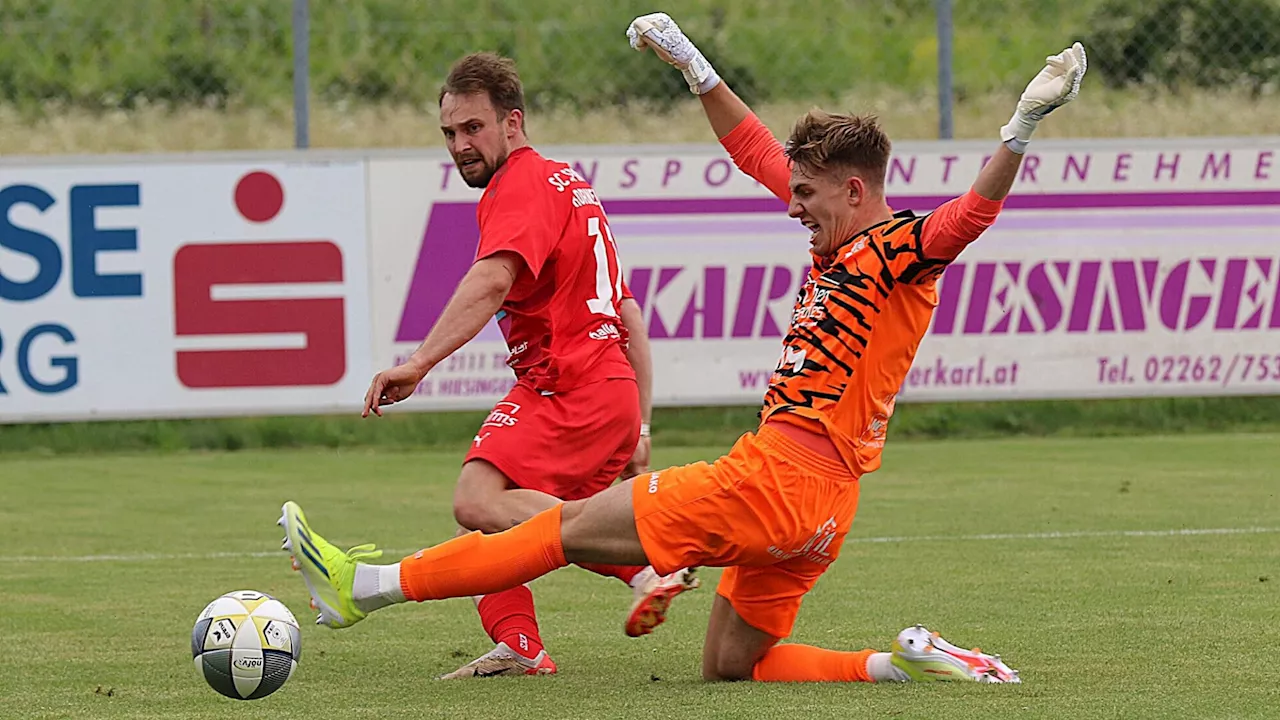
[479, 564]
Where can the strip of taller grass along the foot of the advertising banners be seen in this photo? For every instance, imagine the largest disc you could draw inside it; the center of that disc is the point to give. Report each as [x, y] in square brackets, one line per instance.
[673, 427]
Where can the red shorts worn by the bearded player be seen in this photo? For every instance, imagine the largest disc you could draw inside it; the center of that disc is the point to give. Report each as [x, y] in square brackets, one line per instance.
[570, 445]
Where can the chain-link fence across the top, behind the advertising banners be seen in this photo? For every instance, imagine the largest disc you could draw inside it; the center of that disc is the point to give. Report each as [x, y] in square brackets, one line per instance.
[368, 58]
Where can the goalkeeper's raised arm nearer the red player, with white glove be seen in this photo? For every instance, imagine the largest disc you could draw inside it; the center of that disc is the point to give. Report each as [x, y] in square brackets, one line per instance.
[752, 147]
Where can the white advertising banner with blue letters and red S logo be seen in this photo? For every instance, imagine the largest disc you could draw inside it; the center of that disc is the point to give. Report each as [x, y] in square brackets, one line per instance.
[182, 290]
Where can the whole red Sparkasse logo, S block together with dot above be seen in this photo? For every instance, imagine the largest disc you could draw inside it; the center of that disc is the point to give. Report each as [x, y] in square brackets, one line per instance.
[257, 311]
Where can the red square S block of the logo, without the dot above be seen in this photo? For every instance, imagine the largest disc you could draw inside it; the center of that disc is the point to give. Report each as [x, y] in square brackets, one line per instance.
[198, 268]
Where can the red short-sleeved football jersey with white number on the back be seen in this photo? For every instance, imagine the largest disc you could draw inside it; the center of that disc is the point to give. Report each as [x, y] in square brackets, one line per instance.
[563, 316]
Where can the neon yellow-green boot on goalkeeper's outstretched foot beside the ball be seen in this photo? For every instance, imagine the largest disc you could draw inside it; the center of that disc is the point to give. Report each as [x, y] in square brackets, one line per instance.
[328, 572]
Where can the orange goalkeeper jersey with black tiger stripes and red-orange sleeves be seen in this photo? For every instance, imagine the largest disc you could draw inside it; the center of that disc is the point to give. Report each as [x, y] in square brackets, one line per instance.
[860, 318]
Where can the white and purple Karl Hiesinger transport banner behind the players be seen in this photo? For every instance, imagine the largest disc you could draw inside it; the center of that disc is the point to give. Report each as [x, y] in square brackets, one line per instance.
[1119, 268]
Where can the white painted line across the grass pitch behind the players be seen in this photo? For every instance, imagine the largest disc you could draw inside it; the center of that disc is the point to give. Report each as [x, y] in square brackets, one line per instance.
[1063, 535]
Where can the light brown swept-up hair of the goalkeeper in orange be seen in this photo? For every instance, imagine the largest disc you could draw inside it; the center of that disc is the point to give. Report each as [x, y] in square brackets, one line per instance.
[825, 142]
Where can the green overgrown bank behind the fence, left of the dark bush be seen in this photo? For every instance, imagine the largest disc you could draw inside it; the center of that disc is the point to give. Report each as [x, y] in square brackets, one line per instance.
[103, 54]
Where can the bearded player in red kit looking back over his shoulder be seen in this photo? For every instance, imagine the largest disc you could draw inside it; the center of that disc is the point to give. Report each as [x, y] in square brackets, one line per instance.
[577, 420]
